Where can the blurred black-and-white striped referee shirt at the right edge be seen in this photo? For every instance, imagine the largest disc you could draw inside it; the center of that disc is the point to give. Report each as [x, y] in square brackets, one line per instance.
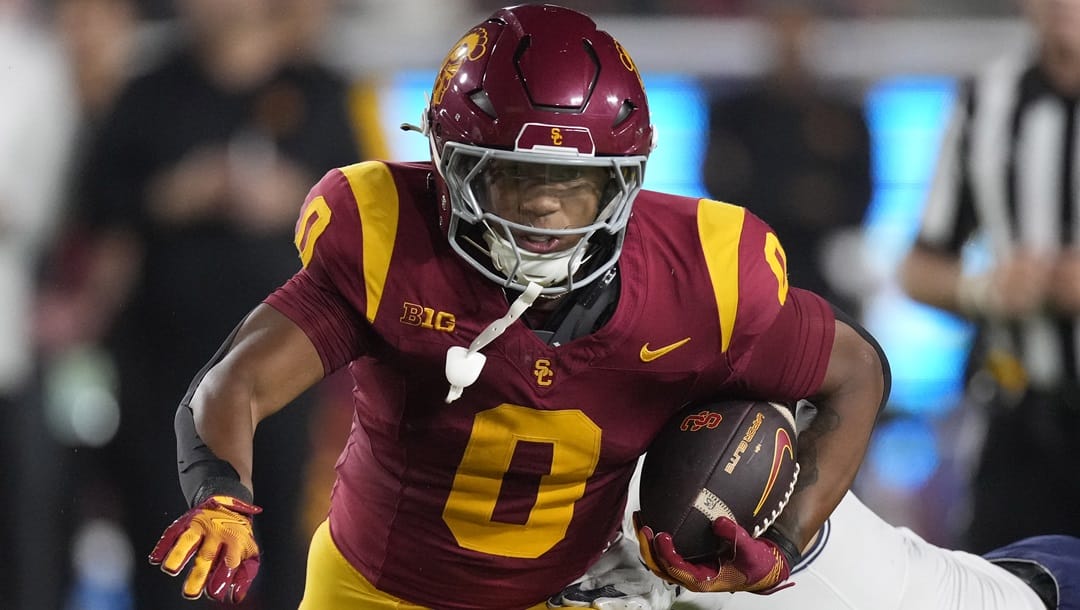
[1009, 171]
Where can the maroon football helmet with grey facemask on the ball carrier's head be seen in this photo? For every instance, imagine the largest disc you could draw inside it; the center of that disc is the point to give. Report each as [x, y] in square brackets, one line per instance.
[539, 128]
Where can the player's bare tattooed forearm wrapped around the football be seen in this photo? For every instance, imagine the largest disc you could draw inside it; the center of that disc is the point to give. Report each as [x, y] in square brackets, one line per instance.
[832, 449]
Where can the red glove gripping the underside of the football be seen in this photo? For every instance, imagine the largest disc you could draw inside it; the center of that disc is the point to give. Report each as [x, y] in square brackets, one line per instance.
[754, 565]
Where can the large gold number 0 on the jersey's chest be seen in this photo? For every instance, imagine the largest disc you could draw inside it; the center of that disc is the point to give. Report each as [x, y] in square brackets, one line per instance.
[496, 433]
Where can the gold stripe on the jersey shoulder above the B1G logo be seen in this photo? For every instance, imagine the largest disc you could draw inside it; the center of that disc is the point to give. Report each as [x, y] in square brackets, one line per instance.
[373, 187]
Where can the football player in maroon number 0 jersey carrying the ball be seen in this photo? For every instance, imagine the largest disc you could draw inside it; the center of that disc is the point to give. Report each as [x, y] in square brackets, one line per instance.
[520, 319]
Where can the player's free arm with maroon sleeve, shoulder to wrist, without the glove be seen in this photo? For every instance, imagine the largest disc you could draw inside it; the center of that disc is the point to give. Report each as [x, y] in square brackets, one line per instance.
[287, 345]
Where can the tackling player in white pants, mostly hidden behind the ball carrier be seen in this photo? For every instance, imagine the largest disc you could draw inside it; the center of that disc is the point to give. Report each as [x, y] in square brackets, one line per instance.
[859, 562]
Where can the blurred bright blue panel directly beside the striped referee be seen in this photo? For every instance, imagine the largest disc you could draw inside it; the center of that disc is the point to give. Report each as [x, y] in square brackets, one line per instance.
[926, 347]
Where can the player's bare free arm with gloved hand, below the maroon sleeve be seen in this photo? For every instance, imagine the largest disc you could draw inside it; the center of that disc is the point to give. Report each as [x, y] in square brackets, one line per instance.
[266, 363]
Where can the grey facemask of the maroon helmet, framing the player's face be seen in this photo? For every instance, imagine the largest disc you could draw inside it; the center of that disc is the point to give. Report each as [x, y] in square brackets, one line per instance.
[495, 195]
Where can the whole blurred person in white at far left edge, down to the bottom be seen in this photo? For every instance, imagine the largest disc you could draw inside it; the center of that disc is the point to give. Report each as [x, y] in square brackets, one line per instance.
[37, 121]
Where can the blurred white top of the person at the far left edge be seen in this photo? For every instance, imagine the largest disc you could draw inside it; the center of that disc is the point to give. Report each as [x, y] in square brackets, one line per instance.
[36, 130]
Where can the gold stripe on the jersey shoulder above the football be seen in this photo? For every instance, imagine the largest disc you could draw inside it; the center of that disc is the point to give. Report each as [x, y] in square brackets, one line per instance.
[720, 227]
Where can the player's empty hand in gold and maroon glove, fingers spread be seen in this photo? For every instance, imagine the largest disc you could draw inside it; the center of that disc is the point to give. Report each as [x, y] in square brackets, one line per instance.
[219, 534]
